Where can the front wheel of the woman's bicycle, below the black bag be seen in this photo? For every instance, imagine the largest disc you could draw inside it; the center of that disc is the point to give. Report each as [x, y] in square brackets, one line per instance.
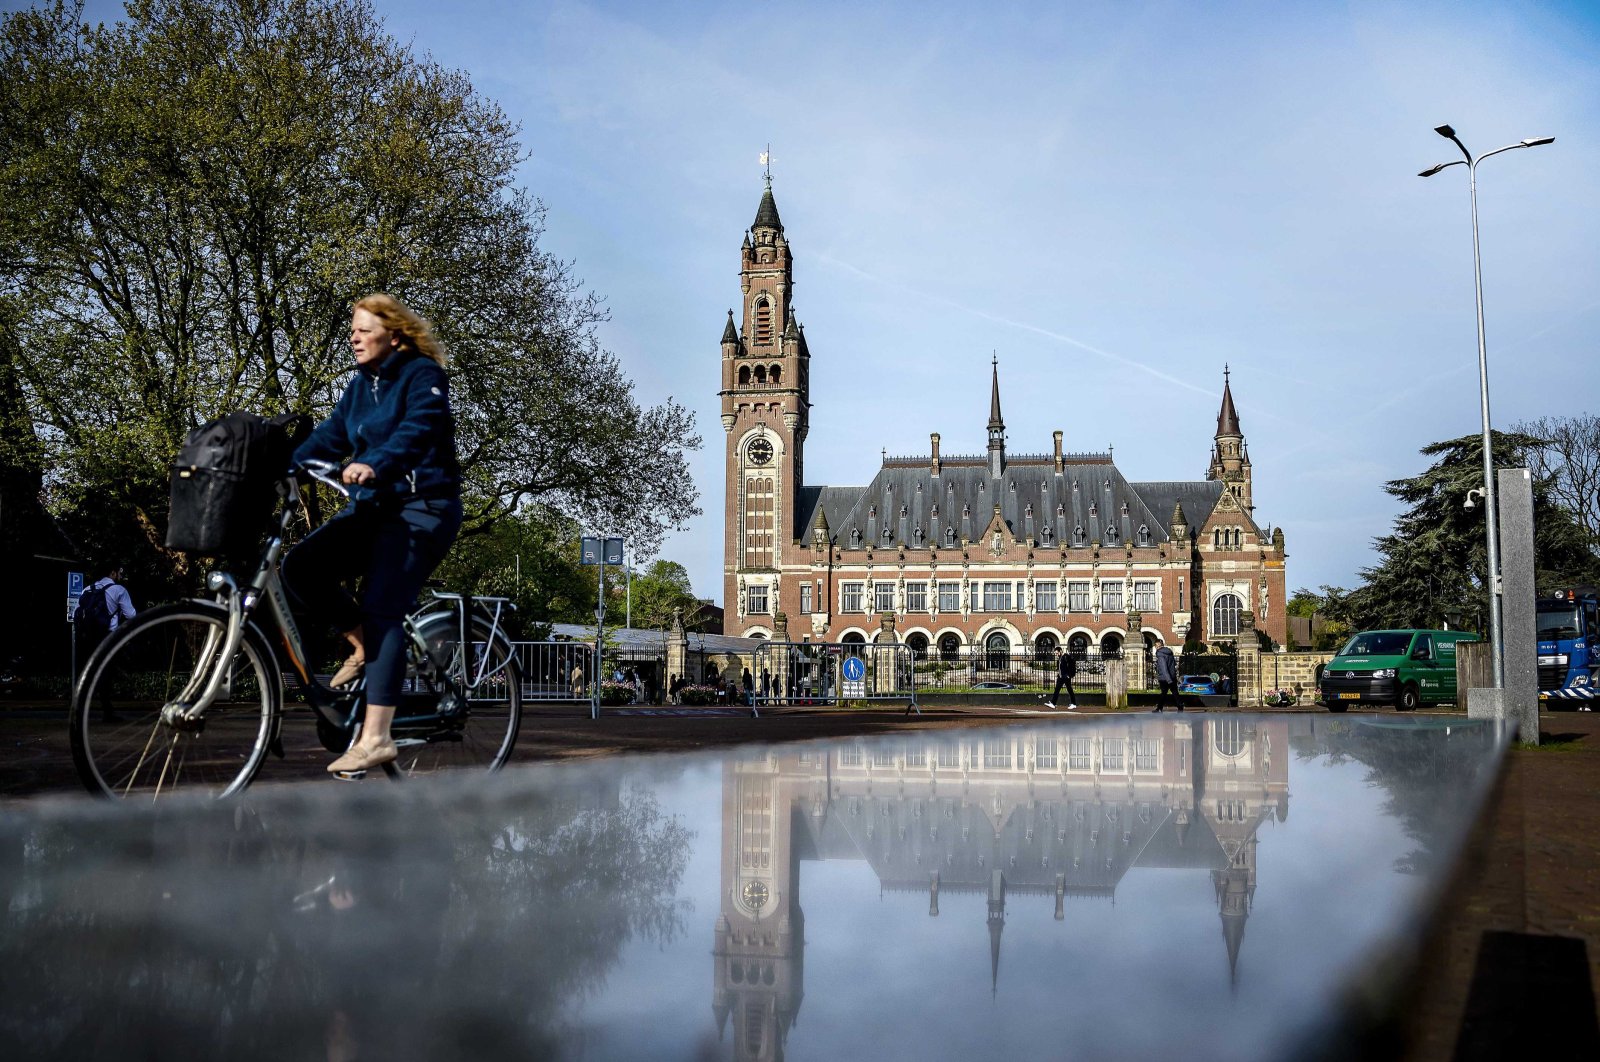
[121, 743]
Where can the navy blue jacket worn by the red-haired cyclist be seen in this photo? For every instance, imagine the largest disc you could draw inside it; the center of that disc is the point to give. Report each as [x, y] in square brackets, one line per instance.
[394, 418]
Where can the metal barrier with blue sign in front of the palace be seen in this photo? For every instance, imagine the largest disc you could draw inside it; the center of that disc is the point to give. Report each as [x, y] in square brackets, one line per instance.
[834, 673]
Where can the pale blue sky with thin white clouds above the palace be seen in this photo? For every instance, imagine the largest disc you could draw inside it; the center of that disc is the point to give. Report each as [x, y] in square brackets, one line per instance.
[1114, 199]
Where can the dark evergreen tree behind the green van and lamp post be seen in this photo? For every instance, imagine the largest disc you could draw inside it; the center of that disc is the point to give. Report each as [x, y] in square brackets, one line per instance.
[1433, 569]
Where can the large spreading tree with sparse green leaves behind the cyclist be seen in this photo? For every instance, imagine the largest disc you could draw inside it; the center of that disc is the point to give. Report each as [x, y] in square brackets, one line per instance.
[193, 198]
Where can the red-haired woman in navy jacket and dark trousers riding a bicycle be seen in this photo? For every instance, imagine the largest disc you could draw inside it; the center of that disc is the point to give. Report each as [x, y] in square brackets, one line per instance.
[396, 428]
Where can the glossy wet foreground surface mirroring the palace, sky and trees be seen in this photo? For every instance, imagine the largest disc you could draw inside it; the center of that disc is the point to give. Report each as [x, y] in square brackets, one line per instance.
[1206, 887]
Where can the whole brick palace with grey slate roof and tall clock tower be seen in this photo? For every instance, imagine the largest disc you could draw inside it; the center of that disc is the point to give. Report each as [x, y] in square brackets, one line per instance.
[945, 553]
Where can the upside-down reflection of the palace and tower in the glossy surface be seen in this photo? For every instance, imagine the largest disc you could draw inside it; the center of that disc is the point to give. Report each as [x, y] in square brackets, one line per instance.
[1022, 816]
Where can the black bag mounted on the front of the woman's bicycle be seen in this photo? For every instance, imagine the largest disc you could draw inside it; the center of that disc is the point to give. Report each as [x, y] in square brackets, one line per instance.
[223, 482]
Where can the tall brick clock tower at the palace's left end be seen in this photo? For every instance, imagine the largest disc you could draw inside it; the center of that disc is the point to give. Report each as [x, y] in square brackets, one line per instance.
[766, 415]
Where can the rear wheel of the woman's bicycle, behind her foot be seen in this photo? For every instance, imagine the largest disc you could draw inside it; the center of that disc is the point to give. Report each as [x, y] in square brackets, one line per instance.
[476, 735]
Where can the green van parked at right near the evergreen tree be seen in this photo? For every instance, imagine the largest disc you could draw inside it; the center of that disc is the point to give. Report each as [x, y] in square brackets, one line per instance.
[1401, 668]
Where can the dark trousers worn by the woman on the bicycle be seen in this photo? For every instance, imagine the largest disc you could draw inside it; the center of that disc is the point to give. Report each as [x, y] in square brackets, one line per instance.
[394, 549]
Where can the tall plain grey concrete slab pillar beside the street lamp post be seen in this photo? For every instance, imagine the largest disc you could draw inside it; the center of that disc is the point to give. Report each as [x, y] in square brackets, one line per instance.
[1519, 701]
